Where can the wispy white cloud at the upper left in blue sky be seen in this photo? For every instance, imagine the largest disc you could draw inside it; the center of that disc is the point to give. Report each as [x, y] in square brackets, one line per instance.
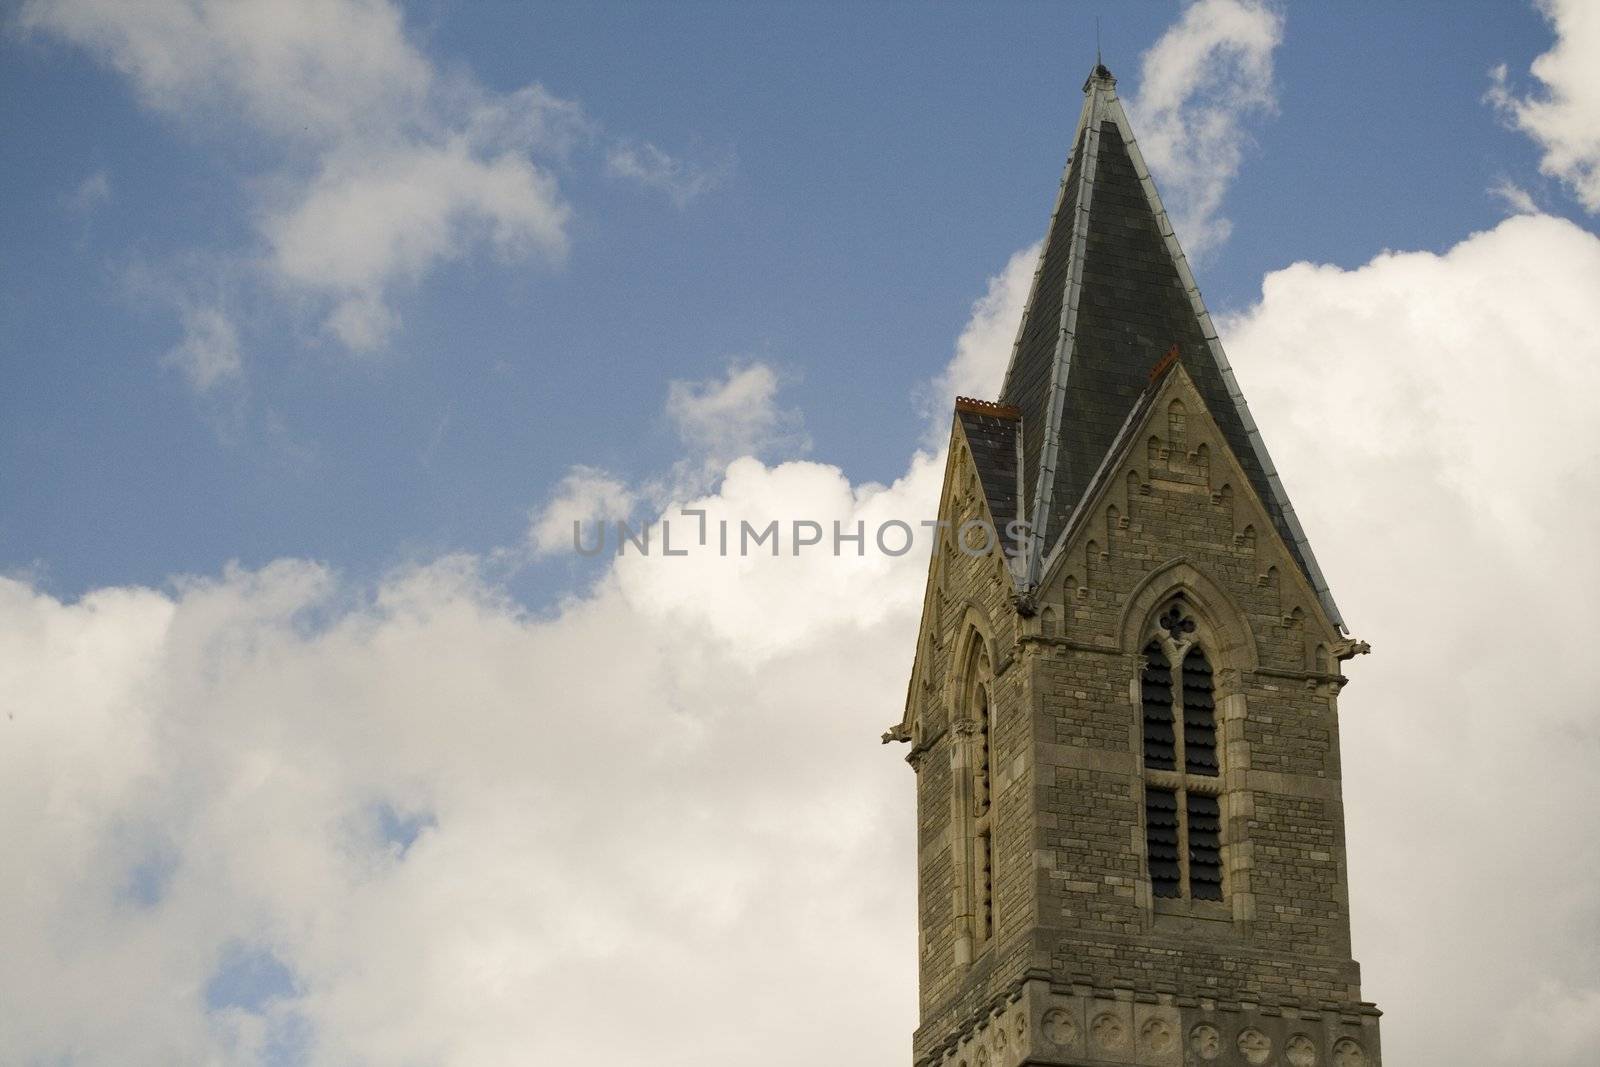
[386, 166]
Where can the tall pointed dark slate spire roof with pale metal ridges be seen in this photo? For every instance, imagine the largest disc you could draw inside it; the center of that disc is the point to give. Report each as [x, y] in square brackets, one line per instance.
[1111, 295]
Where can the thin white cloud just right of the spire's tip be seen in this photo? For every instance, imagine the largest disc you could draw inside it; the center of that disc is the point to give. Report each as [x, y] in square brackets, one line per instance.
[1198, 87]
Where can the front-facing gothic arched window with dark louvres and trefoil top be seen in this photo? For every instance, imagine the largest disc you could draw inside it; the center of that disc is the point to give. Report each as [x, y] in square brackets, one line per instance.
[1183, 813]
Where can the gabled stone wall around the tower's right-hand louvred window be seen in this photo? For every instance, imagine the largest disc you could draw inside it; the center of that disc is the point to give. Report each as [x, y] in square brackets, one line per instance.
[1282, 935]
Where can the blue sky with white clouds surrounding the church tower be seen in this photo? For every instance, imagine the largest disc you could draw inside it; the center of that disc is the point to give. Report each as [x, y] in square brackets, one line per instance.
[322, 319]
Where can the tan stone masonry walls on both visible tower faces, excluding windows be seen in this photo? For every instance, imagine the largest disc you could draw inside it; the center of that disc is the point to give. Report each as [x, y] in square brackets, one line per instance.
[1074, 903]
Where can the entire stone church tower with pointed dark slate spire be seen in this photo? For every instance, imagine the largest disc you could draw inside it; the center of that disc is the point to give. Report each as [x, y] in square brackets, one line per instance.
[1122, 711]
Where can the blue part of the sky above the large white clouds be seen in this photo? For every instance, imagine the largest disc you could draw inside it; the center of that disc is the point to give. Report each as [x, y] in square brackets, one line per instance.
[874, 166]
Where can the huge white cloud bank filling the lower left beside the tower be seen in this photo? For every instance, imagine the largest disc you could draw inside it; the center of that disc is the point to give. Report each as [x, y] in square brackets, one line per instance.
[628, 789]
